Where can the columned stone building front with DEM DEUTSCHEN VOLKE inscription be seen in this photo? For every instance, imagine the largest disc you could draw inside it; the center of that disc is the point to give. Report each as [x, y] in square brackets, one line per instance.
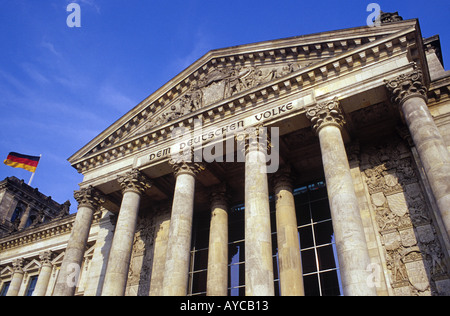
[180, 196]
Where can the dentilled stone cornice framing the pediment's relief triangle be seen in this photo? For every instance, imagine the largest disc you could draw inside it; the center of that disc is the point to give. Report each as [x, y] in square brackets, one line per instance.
[372, 51]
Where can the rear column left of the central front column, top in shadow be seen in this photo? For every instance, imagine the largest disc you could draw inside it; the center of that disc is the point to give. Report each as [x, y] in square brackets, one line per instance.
[217, 279]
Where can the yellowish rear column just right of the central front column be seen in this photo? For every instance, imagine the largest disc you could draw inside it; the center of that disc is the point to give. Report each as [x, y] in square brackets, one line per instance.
[290, 263]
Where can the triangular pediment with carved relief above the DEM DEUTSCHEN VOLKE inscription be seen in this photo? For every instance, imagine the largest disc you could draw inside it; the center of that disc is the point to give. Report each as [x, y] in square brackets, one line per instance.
[226, 74]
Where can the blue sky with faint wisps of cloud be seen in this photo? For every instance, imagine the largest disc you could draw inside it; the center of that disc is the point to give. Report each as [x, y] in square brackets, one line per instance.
[61, 86]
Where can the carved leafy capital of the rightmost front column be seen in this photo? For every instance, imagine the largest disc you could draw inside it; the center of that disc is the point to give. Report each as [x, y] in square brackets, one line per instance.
[407, 86]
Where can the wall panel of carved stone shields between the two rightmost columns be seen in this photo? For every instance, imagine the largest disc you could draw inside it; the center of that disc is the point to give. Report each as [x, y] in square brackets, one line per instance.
[414, 255]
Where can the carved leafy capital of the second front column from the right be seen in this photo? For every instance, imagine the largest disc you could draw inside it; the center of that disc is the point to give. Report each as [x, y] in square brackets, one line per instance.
[325, 114]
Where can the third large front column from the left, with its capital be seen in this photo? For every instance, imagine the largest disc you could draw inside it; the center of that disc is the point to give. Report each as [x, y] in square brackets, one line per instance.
[178, 248]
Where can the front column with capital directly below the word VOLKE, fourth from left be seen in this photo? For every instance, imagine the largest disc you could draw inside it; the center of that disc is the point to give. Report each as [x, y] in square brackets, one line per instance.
[258, 239]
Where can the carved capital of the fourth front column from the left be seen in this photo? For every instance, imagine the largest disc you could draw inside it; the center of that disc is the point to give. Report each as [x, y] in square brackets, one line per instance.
[255, 138]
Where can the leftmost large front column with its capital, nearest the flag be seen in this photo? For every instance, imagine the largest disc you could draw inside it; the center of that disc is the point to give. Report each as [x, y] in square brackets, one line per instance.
[89, 199]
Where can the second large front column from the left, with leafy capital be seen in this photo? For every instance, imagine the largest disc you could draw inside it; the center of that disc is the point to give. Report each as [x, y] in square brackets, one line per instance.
[133, 185]
